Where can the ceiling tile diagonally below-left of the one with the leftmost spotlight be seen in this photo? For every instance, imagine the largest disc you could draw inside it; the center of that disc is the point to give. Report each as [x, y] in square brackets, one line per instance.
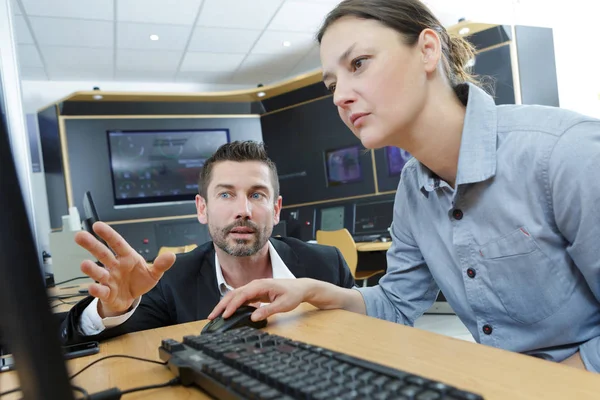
[77, 57]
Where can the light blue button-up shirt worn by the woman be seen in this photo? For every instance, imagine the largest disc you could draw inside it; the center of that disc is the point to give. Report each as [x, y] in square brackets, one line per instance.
[515, 247]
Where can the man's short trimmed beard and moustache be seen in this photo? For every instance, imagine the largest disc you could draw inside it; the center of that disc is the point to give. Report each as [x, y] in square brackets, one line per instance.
[239, 247]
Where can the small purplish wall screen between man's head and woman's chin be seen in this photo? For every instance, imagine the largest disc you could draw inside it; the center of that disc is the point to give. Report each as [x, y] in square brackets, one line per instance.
[343, 165]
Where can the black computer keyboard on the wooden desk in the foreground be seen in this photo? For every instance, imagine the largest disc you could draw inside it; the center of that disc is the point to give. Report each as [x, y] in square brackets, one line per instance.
[247, 363]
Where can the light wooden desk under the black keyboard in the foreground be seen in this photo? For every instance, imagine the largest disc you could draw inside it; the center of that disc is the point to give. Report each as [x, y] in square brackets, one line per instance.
[494, 373]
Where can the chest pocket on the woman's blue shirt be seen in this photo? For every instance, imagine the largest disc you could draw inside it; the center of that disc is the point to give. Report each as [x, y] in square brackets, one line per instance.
[525, 280]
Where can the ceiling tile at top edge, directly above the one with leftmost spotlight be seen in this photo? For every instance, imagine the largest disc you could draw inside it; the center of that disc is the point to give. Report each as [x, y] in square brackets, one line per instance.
[181, 12]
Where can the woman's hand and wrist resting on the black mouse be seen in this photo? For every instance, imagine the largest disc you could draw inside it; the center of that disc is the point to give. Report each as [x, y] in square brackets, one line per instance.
[285, 295]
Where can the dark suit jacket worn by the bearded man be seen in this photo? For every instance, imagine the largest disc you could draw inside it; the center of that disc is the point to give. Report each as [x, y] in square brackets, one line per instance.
[188, 291]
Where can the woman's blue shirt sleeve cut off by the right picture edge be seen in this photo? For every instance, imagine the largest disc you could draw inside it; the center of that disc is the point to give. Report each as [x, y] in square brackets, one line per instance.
[575, 200]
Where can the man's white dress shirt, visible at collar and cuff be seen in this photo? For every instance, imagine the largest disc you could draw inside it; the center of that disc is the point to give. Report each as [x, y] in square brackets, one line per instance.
[92, 324]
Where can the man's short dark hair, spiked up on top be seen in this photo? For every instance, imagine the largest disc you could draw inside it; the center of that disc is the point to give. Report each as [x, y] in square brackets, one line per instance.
[238, 151]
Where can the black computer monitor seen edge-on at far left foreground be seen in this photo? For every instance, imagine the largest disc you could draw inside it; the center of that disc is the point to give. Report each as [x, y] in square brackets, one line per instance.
[26, 322]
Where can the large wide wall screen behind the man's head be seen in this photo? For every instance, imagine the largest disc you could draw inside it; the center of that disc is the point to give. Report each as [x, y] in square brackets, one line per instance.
[159, 166]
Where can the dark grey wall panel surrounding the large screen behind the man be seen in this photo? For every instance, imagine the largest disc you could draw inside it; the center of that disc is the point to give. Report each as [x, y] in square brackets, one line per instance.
[90, 168]
